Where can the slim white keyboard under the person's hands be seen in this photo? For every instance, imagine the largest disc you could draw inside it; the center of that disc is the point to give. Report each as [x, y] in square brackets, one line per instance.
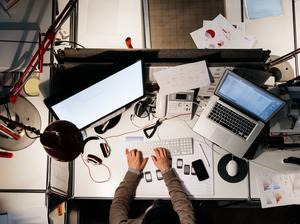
[176, 146]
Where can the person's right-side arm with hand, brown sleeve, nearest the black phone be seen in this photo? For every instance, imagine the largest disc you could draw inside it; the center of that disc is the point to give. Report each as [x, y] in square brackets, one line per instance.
[180, 201]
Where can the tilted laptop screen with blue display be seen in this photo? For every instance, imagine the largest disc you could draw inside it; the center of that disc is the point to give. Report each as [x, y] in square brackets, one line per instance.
[248, 97]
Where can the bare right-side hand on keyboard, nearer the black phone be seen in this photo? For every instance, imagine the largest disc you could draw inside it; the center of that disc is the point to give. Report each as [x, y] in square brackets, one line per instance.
[161, 159]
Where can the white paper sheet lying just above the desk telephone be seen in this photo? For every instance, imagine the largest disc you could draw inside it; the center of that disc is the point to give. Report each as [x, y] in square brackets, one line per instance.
[182, 77]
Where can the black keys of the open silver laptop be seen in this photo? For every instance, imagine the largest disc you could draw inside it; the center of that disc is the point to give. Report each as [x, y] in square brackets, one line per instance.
[231, 120]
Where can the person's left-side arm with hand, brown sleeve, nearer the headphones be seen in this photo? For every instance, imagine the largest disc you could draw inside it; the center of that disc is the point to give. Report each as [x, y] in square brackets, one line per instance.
[126, 191]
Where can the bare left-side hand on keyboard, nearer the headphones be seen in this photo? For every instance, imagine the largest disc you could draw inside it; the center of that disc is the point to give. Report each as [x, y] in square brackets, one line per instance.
[135, 159]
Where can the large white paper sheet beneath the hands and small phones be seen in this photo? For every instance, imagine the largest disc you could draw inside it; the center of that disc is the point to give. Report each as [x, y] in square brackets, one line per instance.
[194, 187]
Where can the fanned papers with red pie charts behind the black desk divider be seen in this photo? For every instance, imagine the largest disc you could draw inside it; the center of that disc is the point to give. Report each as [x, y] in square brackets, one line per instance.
[219, 34]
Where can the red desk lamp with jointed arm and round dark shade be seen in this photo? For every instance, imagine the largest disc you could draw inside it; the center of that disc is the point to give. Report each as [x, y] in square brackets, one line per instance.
[62, 140]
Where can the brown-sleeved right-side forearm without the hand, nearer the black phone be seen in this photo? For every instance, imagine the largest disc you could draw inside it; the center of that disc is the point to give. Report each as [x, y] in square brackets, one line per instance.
[181, 203]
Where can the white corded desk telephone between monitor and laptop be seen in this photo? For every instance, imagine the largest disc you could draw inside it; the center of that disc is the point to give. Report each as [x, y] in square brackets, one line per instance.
[174, 104]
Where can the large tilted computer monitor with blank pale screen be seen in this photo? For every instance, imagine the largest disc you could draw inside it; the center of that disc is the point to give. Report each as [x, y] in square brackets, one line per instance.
[102, 100]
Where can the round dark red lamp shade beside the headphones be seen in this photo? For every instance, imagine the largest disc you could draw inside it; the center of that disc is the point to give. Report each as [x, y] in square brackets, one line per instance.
[62, 140]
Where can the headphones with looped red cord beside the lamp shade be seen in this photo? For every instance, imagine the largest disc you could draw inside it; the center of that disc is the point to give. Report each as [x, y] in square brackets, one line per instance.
[95, 160]
